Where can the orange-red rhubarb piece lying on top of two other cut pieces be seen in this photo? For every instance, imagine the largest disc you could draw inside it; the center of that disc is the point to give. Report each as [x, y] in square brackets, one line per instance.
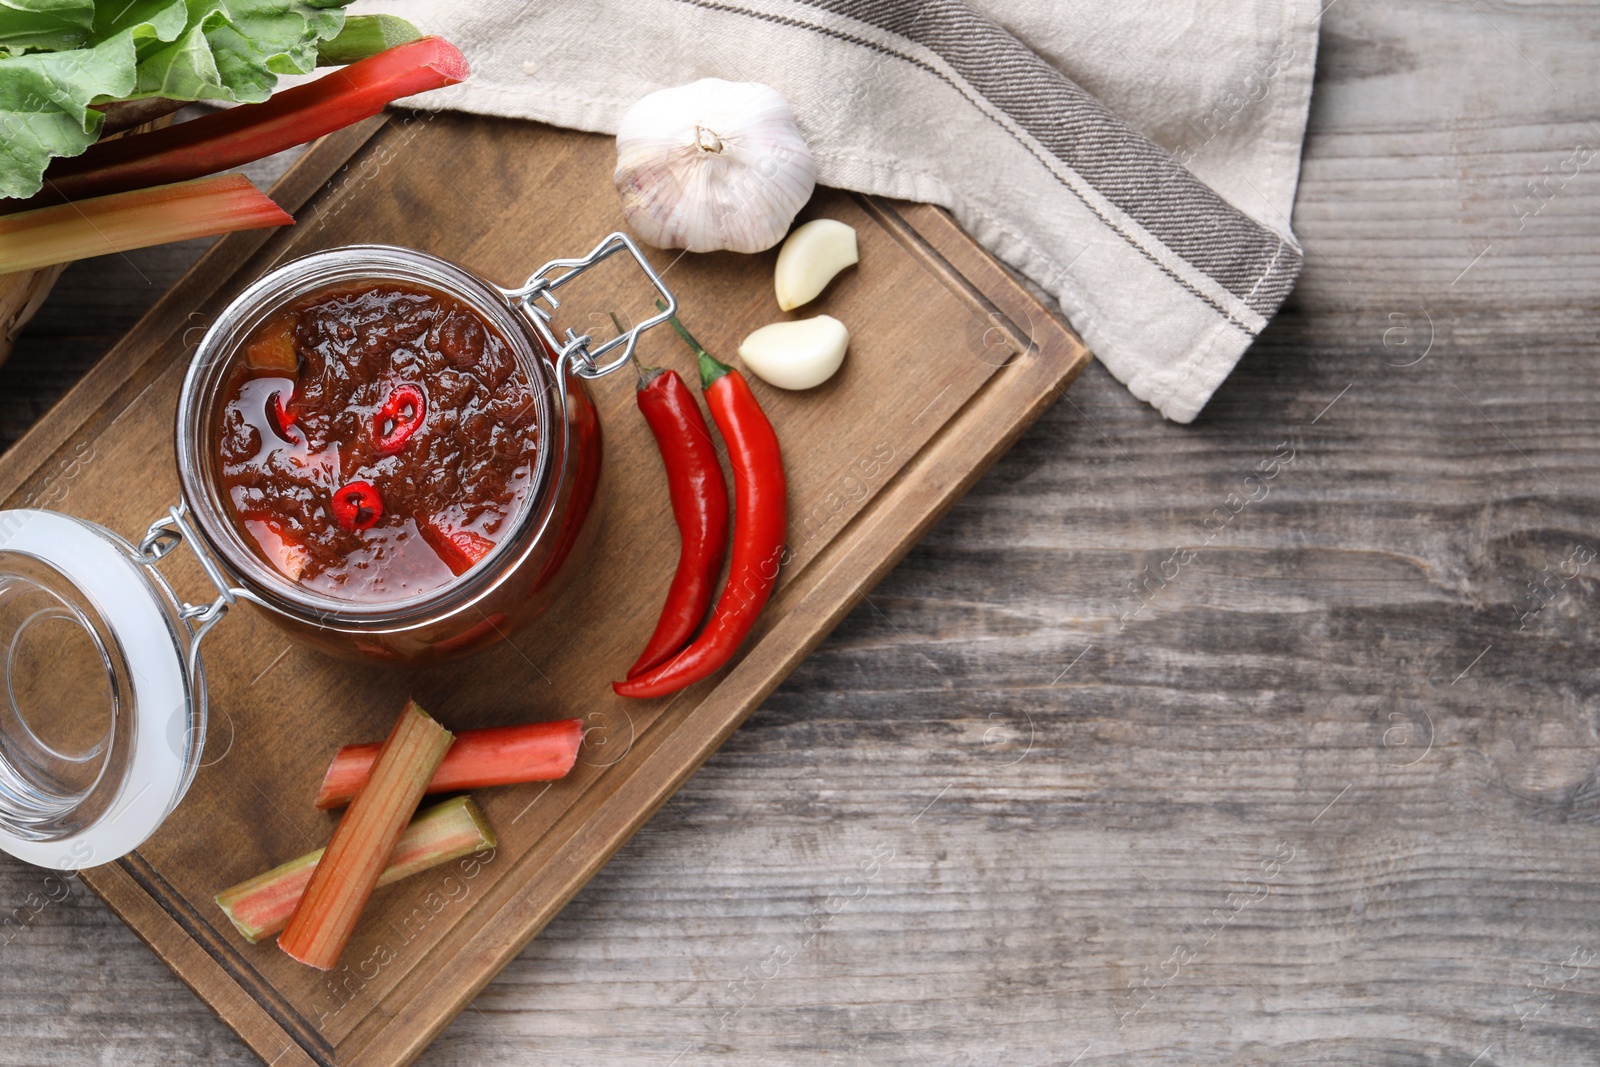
[364, 841]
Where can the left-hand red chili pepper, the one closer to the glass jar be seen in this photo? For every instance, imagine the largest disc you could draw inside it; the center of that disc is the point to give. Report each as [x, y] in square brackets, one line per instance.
[700, 502]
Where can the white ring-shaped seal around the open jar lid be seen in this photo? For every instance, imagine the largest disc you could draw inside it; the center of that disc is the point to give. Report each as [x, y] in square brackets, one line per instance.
[126, 599]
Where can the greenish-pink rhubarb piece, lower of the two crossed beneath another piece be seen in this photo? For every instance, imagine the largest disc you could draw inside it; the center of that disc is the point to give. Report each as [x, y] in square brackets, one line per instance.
[447, 831]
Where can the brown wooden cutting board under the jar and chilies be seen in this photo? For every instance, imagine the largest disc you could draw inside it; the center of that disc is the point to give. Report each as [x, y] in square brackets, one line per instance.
[950, 361]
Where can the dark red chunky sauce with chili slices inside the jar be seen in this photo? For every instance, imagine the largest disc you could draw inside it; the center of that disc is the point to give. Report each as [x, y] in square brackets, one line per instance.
[378, 441]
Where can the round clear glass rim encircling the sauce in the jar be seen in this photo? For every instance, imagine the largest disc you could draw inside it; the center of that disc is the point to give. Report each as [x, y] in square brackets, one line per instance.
[209, 372]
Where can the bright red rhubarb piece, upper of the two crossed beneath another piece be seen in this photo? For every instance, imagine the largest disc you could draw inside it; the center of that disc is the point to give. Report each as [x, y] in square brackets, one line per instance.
[502, 756]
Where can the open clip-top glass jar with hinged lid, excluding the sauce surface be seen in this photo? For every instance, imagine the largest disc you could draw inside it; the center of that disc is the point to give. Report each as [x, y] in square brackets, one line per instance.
[105, 708]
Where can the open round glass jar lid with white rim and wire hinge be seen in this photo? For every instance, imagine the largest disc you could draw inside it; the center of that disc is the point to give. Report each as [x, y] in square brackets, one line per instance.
[102, 690]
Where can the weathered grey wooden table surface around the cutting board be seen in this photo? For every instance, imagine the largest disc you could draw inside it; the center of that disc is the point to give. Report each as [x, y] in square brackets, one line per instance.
[1132, 761]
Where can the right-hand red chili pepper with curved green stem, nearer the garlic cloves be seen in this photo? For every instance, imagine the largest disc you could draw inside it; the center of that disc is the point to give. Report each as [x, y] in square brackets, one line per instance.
[759, 527]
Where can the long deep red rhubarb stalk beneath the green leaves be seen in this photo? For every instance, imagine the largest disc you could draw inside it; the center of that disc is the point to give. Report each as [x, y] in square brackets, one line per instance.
[241, 135]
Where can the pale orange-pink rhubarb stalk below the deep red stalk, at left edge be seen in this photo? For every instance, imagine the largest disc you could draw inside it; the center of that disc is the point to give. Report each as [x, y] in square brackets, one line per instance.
[135, 220]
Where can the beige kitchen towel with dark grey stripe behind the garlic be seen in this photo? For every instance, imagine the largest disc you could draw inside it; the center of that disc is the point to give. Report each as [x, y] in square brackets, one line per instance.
[1137, 159]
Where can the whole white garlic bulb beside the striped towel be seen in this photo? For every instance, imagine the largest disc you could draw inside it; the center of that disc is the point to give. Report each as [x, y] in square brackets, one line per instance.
[713, 166]
